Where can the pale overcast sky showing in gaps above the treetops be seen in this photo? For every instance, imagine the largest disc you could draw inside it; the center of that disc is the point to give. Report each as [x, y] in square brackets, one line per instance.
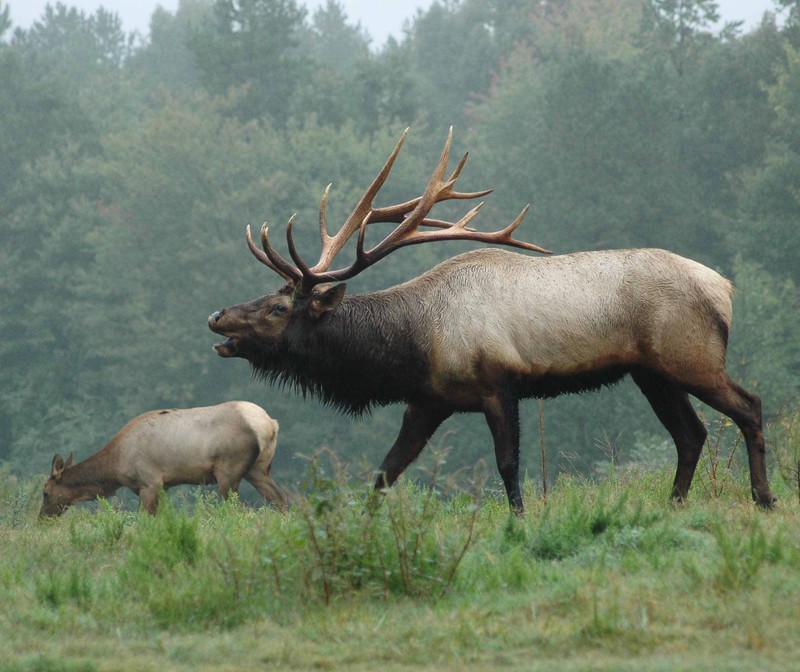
[380, 18]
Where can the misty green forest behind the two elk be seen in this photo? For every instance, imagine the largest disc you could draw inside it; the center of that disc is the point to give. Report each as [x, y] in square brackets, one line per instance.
[131, 164]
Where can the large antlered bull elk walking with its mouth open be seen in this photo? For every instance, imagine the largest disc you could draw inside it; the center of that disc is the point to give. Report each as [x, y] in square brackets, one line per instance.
[487, 328]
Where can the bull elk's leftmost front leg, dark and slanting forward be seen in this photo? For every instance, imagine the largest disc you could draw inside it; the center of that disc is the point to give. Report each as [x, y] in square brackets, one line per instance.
[419, 424]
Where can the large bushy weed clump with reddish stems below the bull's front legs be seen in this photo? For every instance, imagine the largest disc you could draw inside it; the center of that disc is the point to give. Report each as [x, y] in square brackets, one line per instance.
[393, 546]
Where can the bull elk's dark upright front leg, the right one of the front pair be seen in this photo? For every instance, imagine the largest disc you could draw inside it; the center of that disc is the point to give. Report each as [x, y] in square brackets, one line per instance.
[502, 415]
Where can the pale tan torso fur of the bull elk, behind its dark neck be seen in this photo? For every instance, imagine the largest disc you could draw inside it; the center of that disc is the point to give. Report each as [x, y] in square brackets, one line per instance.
[571, 314]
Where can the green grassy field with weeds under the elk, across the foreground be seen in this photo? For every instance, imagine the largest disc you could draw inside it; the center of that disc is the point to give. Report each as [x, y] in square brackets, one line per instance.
[599, 576]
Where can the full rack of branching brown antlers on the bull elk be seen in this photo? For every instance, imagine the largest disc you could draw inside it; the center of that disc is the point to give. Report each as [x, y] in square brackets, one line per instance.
[410, 215]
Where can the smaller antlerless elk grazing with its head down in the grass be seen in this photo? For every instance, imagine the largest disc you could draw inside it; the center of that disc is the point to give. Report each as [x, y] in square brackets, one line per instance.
[215, 444]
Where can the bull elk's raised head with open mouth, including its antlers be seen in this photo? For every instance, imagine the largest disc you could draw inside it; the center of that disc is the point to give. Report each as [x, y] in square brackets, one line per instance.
[255, 330]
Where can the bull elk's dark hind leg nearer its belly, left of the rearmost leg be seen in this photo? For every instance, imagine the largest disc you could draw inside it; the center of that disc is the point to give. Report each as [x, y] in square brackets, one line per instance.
[675, 411]
